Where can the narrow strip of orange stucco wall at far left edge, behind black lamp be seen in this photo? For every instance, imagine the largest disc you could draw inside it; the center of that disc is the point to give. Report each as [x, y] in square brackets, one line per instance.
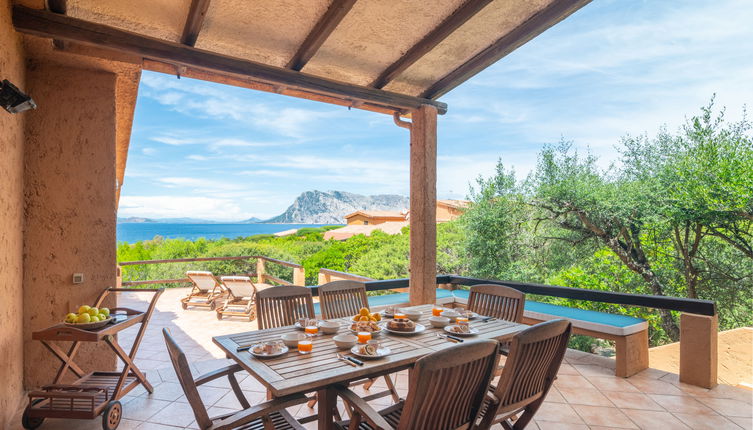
[11, 229]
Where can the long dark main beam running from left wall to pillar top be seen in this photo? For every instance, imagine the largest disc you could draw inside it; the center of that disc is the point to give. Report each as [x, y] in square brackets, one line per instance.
[47, 24]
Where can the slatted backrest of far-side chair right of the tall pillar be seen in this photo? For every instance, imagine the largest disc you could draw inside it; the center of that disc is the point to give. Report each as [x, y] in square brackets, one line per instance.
[497, 301]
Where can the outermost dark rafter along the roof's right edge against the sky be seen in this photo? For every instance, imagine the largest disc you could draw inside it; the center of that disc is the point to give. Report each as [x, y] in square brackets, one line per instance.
[542, 20]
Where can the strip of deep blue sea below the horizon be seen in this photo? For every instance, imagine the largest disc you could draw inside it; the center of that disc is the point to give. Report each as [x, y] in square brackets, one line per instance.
[135, 232]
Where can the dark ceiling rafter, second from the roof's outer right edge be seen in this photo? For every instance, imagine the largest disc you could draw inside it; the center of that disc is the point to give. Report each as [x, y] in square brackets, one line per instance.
[459, 17]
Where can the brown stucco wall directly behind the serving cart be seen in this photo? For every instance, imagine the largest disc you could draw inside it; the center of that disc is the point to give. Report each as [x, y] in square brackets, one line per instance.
[69, 184]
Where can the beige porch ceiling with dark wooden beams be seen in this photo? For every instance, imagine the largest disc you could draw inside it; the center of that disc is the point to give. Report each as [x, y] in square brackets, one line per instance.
[388, 56]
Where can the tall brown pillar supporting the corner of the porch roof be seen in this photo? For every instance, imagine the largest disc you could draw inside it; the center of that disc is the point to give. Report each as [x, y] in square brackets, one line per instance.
[423, 205]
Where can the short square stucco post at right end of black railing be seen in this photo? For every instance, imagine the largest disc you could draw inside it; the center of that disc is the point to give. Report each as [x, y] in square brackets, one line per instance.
[698, 349]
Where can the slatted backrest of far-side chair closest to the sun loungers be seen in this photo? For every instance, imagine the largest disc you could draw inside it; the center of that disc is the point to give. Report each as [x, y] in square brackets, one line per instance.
[281, 306]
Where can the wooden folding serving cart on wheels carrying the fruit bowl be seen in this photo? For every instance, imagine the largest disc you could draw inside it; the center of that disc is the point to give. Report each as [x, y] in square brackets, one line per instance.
[95, 393]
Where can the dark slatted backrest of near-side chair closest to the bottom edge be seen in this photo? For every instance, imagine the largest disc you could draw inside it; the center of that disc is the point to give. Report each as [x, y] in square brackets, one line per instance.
[447, 388]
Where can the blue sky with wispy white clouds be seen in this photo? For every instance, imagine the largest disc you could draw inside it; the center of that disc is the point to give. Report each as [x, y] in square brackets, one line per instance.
[615, 67]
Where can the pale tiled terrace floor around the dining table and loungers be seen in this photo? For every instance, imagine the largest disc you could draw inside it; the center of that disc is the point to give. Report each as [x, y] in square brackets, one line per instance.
[586, 395]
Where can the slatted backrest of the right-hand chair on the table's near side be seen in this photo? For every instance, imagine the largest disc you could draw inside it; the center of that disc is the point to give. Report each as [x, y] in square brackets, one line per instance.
[535, 357]
